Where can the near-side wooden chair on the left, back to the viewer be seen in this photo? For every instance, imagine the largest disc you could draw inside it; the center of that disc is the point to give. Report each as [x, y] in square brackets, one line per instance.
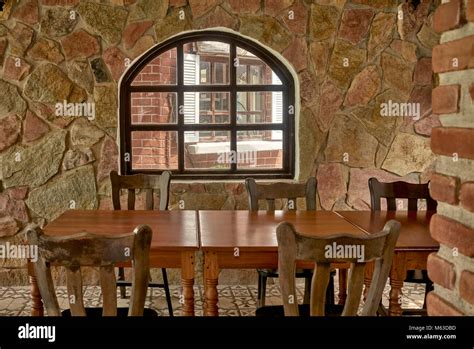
[103, 252]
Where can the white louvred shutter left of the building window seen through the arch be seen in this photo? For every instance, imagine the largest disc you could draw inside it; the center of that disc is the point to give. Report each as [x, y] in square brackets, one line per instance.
[191, 99]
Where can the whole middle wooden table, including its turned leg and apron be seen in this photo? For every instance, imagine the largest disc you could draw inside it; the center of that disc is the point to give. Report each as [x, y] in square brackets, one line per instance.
[242, 239]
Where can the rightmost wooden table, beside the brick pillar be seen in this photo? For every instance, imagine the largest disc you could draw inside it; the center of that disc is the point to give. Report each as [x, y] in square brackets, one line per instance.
[411, 252]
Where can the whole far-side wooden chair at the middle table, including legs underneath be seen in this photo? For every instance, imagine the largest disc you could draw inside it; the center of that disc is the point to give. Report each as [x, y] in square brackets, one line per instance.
[270, 192]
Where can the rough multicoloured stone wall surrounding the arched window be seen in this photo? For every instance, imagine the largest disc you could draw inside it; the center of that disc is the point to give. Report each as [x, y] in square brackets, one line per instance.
[351, 57]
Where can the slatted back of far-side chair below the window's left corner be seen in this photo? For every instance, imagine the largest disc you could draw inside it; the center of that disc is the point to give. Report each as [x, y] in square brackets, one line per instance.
[149, 183]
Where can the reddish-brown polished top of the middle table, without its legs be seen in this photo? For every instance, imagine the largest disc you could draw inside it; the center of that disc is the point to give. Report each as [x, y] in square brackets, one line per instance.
[223, 230]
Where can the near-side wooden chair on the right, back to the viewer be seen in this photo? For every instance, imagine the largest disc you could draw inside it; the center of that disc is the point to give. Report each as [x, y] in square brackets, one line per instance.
[292, 246]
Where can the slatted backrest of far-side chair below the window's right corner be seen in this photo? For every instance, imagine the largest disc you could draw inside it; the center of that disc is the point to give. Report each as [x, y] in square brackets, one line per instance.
[290, 191]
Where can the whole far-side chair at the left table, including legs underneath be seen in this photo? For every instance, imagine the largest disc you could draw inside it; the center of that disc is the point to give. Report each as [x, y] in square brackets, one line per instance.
[149, 183]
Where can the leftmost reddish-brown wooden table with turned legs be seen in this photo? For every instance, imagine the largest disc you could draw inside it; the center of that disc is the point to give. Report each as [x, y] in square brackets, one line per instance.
[174, 243]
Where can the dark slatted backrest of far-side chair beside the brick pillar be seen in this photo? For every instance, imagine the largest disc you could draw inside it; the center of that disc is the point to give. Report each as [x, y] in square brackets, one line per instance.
[399, 190]
